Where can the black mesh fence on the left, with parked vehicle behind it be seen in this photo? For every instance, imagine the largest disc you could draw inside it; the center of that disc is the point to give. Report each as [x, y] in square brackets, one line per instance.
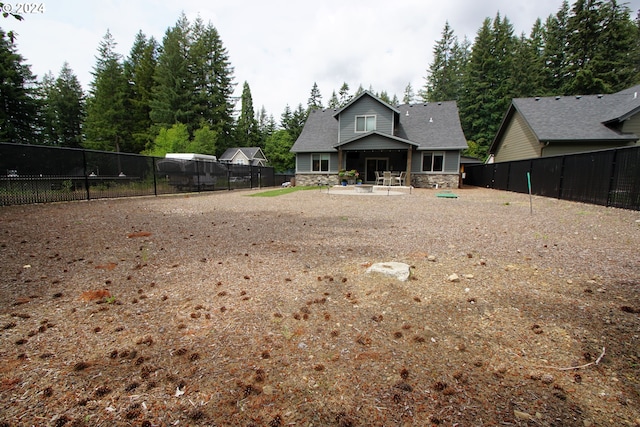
[40, 174]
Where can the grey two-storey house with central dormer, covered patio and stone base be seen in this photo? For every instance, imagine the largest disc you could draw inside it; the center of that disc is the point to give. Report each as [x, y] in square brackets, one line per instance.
[369, 135]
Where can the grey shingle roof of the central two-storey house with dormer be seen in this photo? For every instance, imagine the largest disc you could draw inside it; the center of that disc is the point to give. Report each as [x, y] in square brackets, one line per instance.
[427, 126]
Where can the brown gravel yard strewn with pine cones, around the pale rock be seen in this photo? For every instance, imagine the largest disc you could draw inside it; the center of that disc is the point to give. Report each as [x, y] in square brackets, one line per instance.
[228, 310]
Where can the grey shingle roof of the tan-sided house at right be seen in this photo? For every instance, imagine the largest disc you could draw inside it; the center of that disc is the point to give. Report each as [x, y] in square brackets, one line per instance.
[574, 118]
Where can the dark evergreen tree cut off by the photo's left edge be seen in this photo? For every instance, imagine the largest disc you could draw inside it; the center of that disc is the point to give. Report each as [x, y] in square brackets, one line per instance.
[18, 105]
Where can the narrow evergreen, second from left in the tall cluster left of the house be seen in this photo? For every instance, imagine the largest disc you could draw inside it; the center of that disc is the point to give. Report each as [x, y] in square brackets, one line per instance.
[139, 69]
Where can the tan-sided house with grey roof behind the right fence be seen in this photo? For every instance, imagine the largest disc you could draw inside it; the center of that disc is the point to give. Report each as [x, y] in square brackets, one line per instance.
[541, 127]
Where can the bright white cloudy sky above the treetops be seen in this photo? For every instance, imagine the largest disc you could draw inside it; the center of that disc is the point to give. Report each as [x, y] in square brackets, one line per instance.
[280, 47]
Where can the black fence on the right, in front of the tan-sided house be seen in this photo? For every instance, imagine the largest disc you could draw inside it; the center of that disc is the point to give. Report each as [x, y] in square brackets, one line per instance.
[608, 177]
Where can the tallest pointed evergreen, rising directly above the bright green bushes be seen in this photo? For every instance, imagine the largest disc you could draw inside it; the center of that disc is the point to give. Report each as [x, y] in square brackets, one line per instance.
[172, 95]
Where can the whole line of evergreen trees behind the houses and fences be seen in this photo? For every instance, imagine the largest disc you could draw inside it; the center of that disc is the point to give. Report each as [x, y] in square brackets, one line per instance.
[176, 95]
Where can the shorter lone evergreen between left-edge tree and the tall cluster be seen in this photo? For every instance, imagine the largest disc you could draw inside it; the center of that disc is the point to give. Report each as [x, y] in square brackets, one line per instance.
[63, 109]
